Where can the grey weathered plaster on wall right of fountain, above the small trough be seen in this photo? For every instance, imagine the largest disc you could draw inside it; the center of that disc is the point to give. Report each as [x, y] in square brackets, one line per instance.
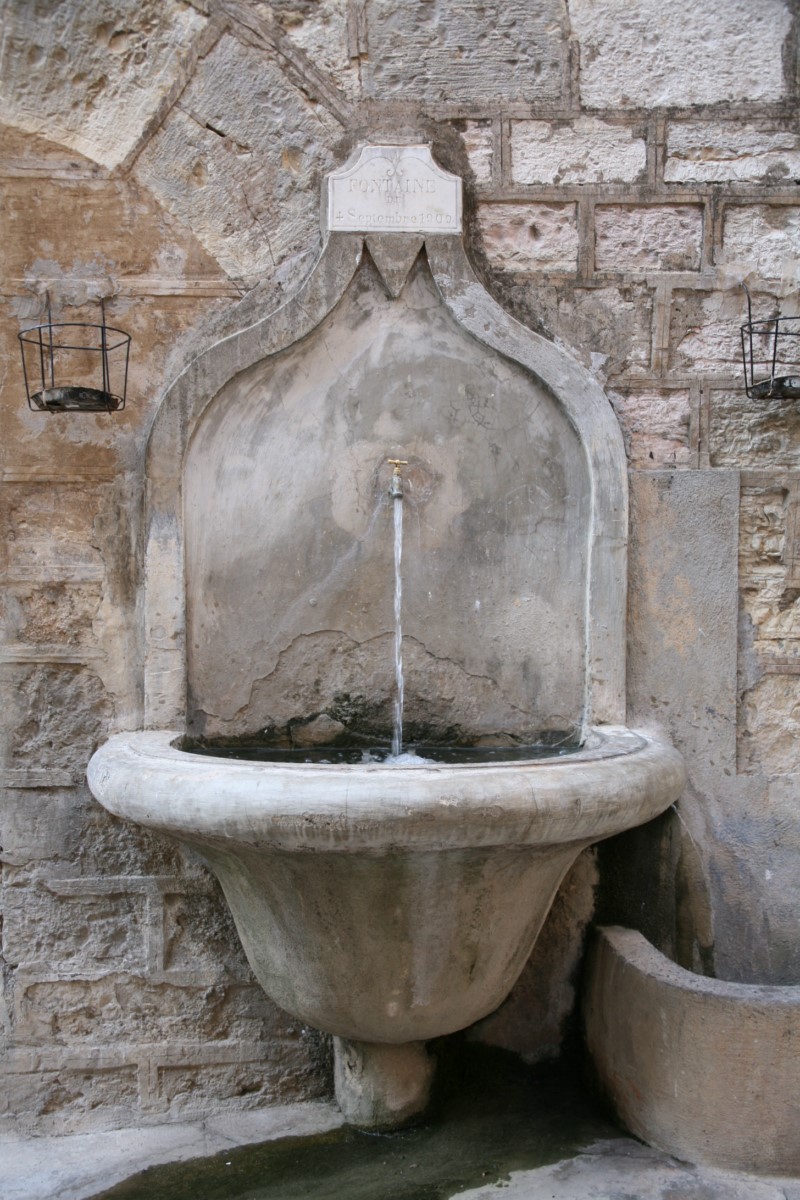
[687, 674]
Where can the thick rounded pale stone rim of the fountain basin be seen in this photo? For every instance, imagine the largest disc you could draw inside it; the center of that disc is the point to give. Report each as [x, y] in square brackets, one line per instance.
[619, 779]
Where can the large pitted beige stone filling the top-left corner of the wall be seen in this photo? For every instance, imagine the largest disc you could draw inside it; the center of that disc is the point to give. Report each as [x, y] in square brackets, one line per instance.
[92, 75]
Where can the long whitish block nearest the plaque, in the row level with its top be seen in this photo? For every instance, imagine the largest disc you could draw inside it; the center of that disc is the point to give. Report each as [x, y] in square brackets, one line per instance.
[587, 152]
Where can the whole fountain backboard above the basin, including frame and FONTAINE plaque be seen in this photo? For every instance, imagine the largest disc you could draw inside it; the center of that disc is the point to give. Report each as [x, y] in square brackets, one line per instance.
[270, 542]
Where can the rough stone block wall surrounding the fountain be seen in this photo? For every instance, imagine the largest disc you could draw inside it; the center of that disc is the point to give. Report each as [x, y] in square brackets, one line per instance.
[627, 166]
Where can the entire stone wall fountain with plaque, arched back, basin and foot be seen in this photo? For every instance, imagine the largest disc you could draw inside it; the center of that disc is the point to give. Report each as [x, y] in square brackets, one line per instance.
[387, 903]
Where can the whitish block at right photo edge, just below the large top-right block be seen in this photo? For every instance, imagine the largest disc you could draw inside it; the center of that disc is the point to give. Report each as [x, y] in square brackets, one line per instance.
[731, 152]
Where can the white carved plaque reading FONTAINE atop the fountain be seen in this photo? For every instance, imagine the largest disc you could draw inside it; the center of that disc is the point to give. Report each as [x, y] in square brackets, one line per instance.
[394, 189]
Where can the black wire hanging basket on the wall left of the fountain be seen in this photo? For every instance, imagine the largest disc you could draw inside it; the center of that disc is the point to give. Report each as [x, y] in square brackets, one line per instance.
[75, 367]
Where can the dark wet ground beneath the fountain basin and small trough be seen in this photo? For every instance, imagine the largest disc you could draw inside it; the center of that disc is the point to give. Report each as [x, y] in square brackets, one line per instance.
[495, 1117]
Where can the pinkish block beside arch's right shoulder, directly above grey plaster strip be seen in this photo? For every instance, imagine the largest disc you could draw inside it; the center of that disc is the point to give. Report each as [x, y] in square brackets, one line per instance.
[657, 427]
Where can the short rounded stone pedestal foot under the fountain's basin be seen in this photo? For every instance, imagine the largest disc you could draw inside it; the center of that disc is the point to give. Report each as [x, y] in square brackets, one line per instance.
[382, 1087]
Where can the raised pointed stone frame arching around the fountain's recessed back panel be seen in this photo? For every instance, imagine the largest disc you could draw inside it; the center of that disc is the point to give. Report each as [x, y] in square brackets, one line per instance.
[264, 335]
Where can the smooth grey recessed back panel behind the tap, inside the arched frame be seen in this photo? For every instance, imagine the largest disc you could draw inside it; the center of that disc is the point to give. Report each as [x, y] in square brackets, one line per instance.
[290, 535]
